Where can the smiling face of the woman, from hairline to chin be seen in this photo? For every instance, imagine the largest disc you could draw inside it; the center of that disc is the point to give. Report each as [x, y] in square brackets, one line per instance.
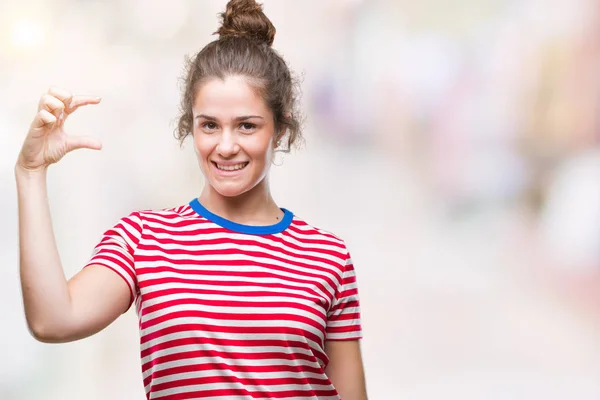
[233, 135]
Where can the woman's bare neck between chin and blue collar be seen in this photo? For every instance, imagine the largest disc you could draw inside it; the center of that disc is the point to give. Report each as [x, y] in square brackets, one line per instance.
[255, 207]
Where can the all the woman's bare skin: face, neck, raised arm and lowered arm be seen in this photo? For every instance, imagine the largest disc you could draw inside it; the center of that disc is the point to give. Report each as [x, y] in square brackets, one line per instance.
[232, 125]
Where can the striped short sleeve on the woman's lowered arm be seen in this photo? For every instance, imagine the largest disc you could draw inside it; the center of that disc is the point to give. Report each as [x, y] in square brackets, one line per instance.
[343, 318]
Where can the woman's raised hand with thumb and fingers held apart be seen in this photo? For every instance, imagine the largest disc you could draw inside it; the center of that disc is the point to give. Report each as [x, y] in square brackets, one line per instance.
[47, 142]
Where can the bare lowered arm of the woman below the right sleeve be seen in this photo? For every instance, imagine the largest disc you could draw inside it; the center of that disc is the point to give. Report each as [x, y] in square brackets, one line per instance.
[345, 368]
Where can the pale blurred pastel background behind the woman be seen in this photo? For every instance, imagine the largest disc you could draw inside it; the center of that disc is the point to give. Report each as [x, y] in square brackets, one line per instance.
[454, 145]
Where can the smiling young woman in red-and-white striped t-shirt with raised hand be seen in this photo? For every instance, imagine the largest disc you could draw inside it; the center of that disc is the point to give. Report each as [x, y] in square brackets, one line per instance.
[237, 298]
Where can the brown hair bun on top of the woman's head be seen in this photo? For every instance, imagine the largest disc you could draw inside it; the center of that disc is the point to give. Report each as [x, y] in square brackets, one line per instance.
[245, 18]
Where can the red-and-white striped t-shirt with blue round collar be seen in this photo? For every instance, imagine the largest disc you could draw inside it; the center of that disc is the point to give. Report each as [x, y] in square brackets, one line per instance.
[232, 311]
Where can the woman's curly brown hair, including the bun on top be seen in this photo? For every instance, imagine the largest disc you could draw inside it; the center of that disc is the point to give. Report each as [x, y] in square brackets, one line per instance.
[244, 48]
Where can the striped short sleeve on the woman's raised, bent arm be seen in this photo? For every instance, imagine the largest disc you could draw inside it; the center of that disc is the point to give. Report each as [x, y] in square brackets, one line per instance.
[116, 251]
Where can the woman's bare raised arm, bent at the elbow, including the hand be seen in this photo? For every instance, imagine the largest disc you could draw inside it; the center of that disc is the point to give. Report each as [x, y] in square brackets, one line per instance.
[57, 310]
